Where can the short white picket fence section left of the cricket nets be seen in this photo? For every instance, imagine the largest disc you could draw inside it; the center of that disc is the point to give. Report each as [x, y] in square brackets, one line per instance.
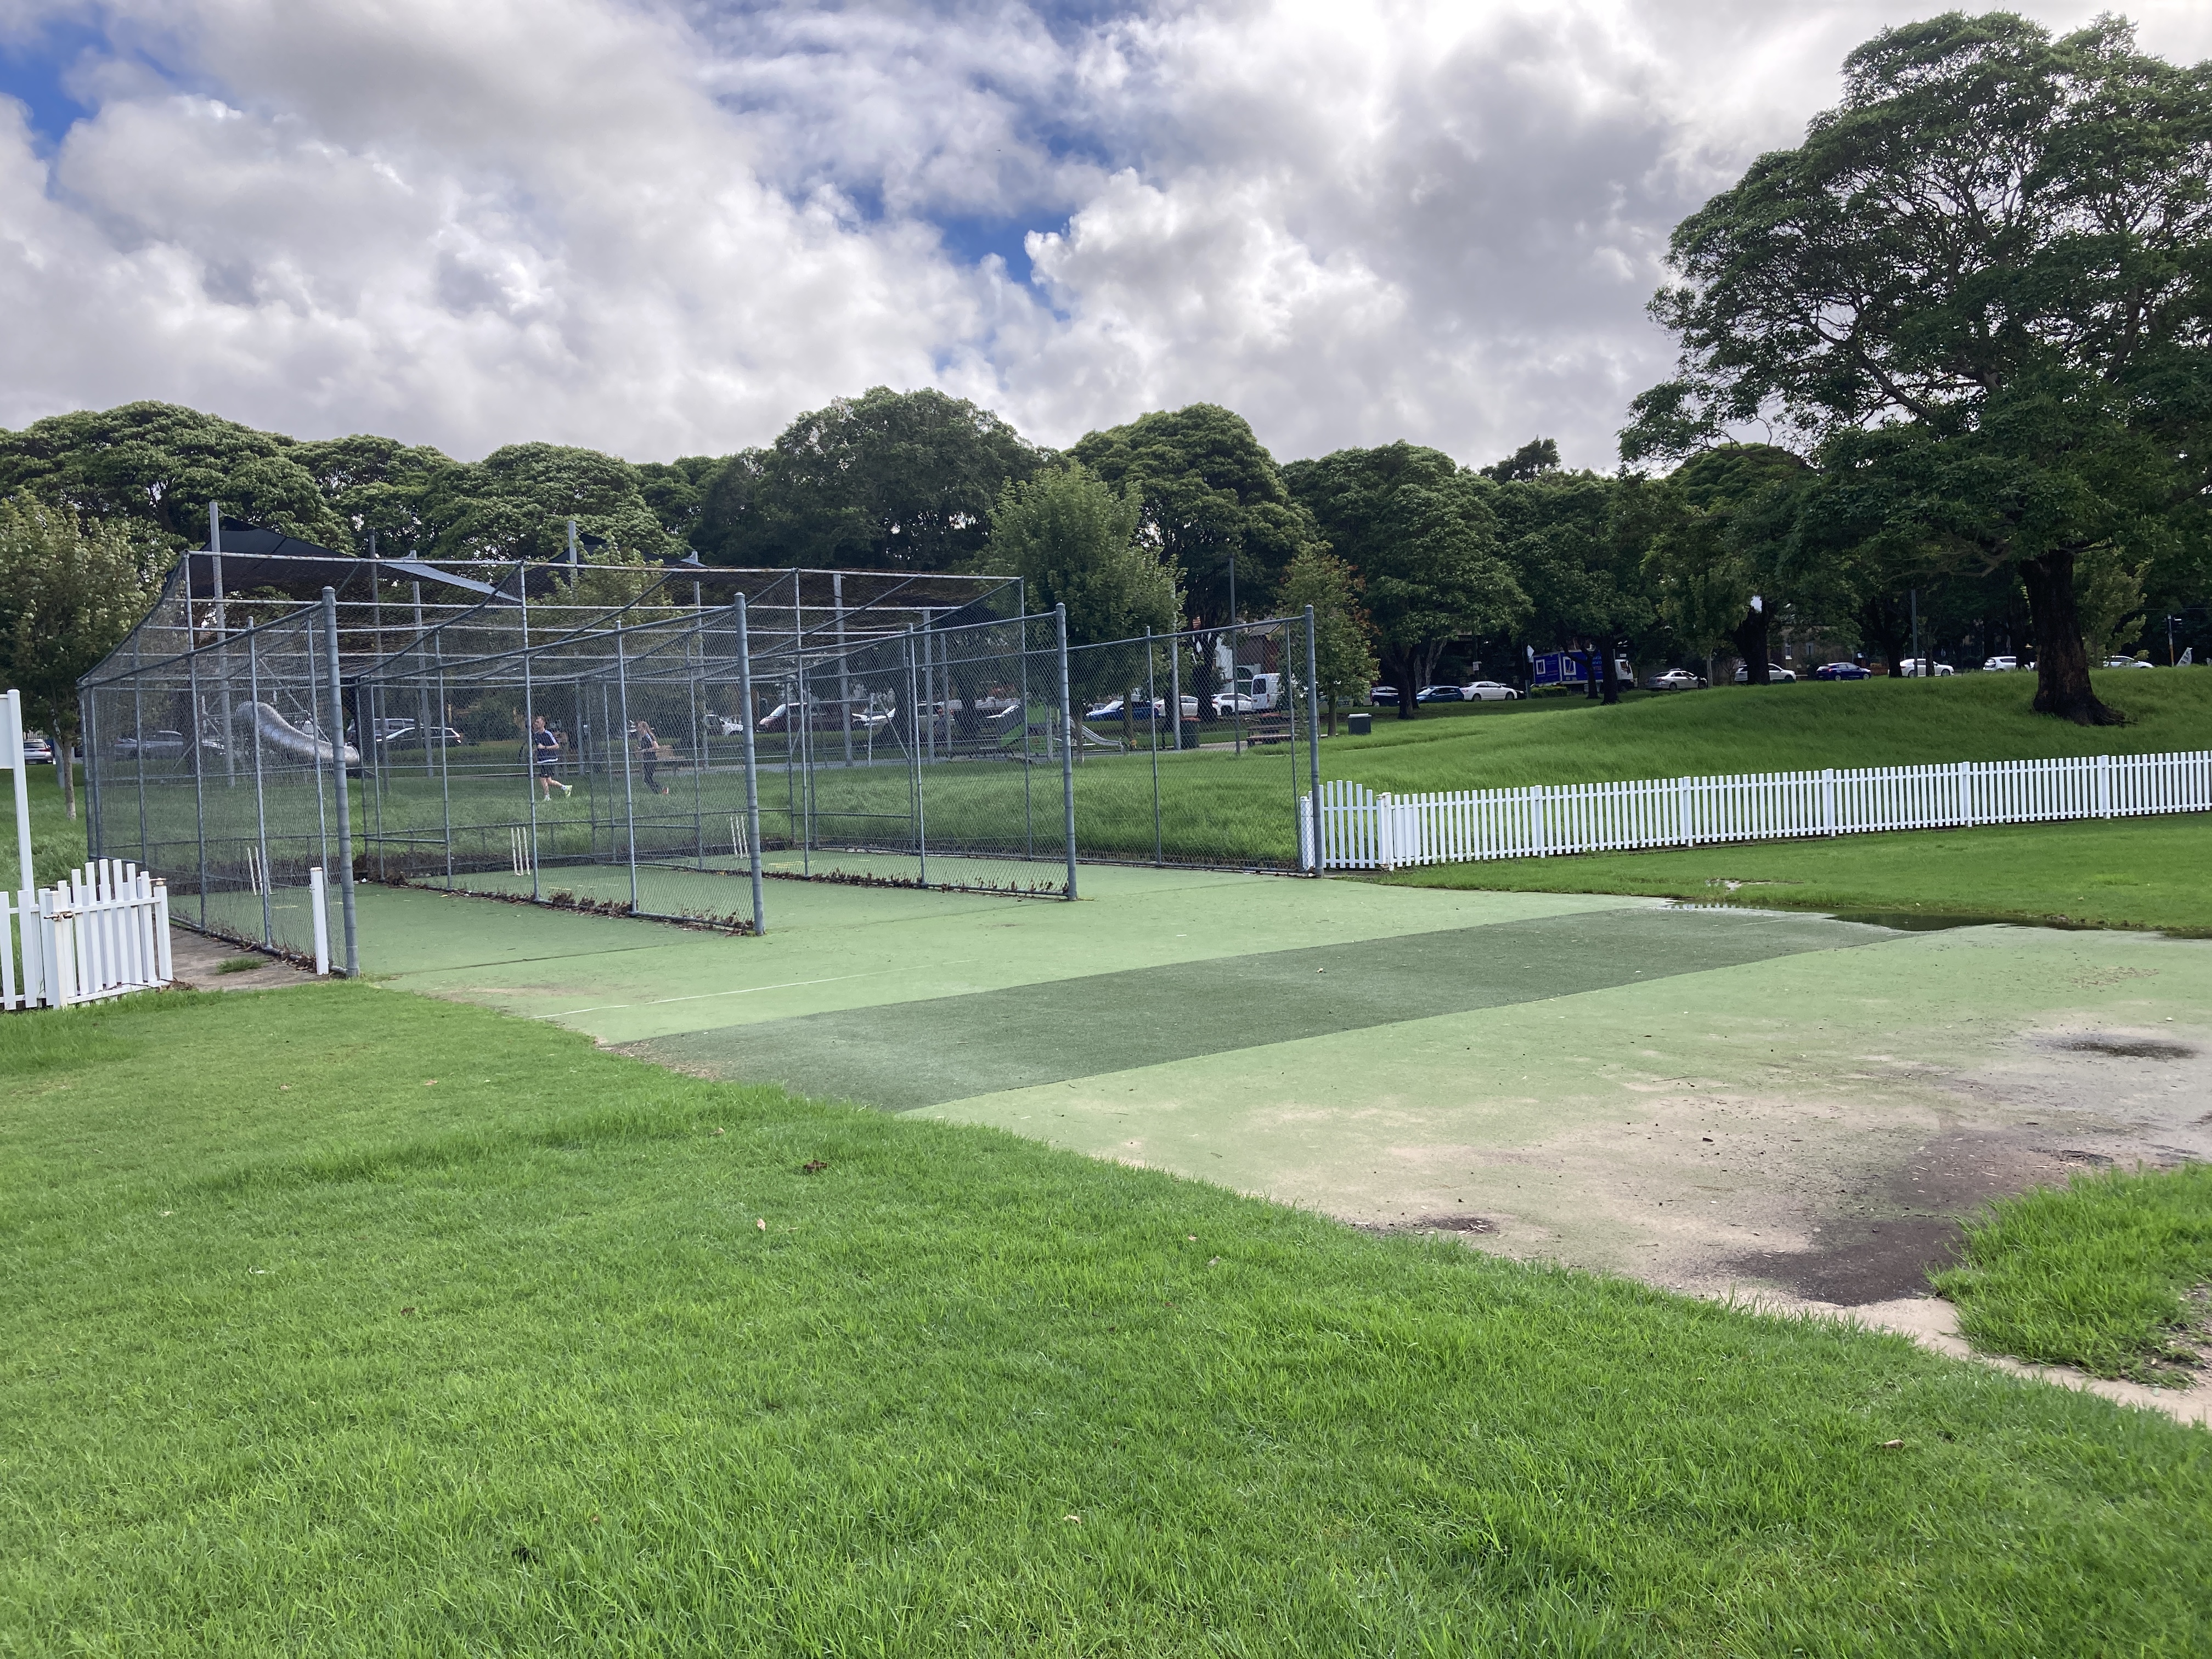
[98, 935]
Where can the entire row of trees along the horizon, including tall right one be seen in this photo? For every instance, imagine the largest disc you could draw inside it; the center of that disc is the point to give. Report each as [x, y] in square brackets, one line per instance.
[1970, 322]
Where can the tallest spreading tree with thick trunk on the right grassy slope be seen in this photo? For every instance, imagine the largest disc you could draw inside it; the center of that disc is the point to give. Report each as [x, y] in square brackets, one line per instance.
[1996, 258]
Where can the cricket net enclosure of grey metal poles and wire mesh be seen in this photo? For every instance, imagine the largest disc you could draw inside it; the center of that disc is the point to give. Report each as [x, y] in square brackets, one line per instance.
[658, 740]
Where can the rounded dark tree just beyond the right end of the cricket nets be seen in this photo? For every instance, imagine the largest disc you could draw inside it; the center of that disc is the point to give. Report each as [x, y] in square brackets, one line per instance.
[1419, 532]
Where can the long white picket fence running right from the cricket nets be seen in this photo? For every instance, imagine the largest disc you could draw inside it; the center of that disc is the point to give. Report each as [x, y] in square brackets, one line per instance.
[1366, 831]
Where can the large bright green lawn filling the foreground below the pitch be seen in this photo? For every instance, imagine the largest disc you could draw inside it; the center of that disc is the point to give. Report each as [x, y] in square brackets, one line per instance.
[306, 1353]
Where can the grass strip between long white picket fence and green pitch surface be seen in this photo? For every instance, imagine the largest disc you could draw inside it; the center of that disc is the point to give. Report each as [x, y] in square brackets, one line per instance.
[2129, 873]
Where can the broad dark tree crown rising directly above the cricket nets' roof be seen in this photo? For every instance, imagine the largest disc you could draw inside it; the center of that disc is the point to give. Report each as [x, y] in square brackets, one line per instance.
[899, 481]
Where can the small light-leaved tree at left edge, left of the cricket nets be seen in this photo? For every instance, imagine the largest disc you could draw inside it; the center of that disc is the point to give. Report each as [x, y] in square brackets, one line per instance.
[70, 592]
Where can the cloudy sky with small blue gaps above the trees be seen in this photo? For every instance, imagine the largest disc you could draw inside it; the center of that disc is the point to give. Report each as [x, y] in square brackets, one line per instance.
[667, 227]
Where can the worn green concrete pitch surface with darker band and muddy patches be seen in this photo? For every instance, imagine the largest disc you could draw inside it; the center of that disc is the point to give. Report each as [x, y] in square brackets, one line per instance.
[1713, 1100]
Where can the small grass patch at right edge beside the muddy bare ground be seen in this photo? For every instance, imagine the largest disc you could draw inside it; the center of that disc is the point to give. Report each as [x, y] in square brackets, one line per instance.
[2094, 1275]
